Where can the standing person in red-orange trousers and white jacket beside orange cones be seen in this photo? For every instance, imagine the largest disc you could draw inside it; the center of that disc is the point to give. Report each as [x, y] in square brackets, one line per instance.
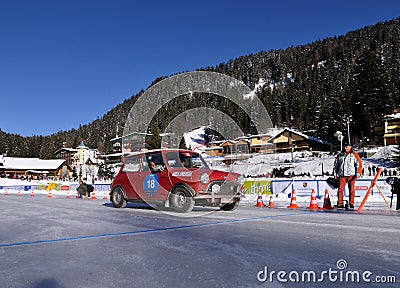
[347, 168]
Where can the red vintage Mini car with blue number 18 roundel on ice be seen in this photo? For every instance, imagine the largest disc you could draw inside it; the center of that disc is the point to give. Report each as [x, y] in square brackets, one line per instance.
[179, 179]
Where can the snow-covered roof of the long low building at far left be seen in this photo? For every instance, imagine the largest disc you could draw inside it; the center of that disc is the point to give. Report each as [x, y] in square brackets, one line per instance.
[14, 163]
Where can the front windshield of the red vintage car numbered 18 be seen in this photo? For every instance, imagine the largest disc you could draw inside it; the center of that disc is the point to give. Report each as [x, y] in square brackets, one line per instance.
[178, 159]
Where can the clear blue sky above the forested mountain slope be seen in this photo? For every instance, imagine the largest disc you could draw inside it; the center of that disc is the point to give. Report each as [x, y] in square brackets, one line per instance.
[67, 62]
